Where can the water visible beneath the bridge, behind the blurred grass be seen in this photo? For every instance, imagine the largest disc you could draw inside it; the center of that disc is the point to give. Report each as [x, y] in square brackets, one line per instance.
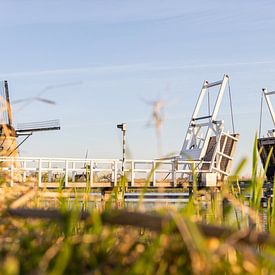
[150, 201]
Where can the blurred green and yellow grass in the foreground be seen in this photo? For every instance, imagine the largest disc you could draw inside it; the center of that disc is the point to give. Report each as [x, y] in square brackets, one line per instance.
[169, 242]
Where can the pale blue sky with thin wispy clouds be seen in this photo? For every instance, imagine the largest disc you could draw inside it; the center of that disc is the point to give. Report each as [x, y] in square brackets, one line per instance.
[116, 53]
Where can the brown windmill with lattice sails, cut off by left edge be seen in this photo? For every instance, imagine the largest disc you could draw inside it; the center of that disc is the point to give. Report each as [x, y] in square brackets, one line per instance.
[8, 133]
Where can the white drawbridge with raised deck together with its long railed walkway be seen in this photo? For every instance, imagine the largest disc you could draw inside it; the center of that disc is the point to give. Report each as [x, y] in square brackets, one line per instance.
[205, 157]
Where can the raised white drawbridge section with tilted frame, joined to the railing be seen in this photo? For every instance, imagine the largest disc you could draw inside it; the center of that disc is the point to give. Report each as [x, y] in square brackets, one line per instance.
[206, 140]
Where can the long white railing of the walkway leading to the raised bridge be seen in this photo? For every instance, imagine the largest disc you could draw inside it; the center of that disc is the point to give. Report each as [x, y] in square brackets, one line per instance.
[70, 172]
